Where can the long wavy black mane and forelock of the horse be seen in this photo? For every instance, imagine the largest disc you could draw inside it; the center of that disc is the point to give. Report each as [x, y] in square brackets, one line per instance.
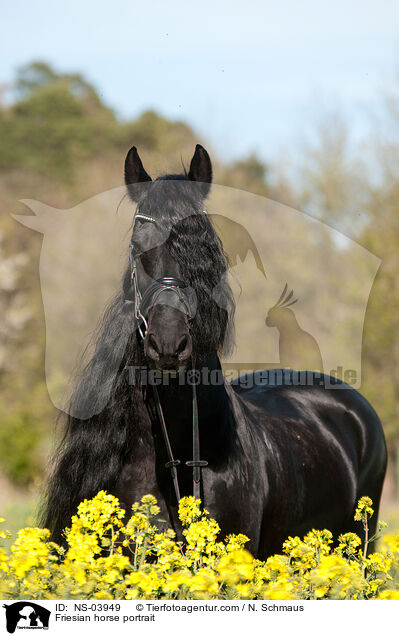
[94, 449]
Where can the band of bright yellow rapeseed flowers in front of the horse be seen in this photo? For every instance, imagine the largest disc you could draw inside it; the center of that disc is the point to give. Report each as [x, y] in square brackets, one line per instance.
[108, 560]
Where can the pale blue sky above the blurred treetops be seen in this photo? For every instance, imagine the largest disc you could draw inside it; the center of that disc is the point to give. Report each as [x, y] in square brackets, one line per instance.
[254, 76]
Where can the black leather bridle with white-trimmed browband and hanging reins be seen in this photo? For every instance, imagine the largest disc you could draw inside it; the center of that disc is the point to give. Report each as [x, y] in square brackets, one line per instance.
[142, 303]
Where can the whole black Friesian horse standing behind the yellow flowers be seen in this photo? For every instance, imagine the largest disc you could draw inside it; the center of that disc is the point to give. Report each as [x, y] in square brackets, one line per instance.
[280, 460]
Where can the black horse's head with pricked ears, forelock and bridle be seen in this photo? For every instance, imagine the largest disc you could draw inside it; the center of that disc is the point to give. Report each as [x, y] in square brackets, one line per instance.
[177, 260]
